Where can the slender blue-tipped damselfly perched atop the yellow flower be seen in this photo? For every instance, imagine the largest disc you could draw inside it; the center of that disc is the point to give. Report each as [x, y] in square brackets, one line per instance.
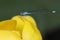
[40, 11]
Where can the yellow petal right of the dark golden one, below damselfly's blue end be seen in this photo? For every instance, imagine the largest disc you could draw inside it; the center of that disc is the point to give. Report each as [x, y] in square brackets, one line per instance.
[20, 22]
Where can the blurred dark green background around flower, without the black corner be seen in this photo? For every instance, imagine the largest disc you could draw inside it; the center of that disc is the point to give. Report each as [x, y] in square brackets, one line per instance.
[9, 8]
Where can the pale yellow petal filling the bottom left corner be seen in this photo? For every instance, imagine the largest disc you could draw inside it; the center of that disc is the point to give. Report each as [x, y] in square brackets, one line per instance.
[9, 35]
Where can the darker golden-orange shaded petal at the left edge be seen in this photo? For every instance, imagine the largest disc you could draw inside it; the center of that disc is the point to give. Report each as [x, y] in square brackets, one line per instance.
[8, 25]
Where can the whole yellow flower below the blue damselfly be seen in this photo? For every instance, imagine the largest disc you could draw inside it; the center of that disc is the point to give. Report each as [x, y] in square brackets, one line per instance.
[19, 28]
